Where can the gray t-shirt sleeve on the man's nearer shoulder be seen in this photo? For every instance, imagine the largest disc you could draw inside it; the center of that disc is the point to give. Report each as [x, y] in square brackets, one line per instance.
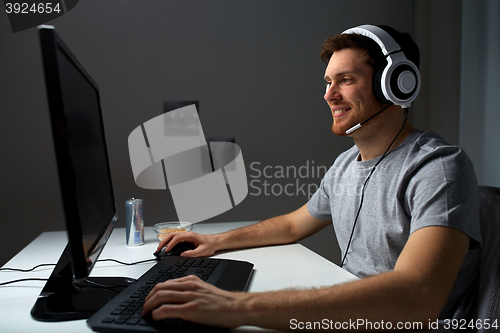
[442, 191]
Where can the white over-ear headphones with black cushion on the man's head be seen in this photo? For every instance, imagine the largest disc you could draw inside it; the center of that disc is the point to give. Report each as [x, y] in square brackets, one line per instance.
[399, 81]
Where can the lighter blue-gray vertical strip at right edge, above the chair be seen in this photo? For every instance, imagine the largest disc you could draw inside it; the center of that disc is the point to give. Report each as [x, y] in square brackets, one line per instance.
[480, 106]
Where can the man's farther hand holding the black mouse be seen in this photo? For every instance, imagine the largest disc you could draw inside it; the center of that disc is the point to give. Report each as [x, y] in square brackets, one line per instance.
[205, 246]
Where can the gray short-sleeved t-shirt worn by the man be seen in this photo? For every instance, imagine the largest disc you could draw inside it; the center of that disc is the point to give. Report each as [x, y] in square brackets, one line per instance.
[422, 182]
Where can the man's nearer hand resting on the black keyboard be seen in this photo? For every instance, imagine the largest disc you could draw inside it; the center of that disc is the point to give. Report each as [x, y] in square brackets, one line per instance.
[192, 299]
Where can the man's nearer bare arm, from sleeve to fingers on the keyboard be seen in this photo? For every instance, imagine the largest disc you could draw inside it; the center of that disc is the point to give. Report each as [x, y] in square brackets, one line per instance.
[415, 291]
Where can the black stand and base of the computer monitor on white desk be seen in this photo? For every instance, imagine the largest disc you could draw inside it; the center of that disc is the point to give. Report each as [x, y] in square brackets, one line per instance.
[61, 299]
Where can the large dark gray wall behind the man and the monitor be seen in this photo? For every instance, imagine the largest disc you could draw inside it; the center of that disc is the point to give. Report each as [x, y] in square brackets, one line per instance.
[253, 65]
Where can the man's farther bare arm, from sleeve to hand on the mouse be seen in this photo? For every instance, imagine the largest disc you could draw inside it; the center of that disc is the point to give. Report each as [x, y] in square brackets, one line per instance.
[282, 229]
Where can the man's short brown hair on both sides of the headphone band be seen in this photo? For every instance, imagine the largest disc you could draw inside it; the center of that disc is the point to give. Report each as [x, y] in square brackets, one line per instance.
[374, 55]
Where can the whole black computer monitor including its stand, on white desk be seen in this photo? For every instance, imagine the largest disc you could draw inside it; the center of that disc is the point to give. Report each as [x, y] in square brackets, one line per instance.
[85, 183]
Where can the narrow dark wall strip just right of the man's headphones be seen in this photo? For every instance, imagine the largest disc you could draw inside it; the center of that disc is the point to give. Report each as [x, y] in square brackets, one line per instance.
[437, 32]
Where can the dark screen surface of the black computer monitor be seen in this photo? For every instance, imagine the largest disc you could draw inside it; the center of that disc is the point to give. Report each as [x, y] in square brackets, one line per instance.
[88, 153]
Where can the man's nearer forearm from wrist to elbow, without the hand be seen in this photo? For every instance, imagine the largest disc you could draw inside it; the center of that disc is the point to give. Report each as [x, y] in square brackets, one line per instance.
[388, 297]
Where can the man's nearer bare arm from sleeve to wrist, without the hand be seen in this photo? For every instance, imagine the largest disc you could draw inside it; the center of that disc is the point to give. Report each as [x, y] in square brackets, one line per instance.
[415, 291]
